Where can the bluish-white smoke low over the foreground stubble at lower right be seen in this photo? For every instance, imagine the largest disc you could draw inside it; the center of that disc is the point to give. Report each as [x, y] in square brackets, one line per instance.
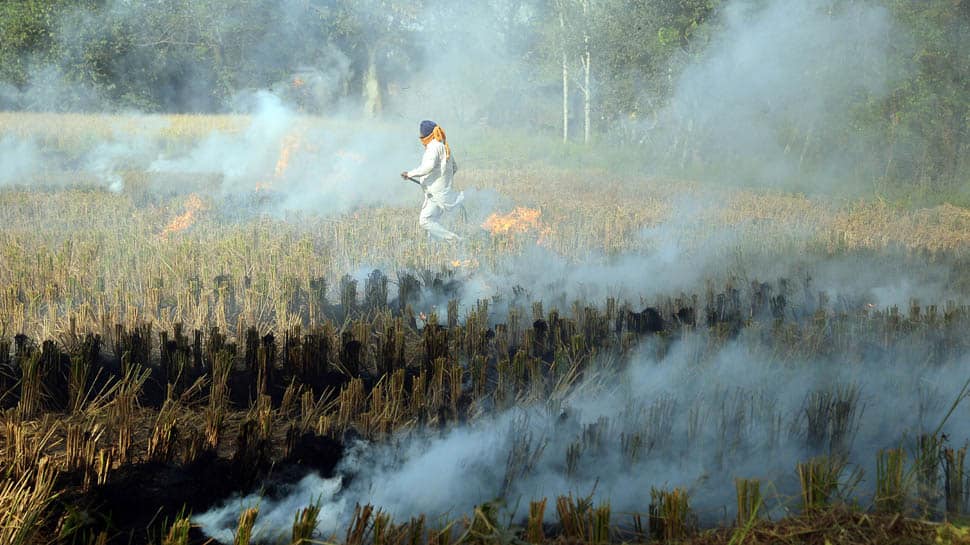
[704, 418]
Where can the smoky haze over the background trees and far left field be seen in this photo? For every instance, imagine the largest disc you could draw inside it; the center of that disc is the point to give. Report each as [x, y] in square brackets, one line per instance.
[813, 95]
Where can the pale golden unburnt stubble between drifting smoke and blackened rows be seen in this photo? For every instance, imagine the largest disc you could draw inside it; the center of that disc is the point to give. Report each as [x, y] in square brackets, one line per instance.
[97, 257]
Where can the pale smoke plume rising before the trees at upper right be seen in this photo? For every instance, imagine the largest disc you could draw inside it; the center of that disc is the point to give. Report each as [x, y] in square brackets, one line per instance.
[764, 102]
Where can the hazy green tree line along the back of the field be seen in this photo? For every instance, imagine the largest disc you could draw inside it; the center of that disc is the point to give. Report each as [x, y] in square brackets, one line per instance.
[580, 69]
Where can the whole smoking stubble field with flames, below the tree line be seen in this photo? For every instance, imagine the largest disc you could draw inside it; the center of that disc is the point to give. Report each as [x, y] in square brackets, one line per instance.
[192, 351]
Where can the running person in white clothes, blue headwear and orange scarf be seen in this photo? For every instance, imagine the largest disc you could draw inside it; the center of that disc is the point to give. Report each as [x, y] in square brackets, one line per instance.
[436, 174]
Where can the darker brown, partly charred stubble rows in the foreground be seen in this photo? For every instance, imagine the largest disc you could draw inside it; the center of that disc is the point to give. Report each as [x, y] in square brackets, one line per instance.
[117, 430]
